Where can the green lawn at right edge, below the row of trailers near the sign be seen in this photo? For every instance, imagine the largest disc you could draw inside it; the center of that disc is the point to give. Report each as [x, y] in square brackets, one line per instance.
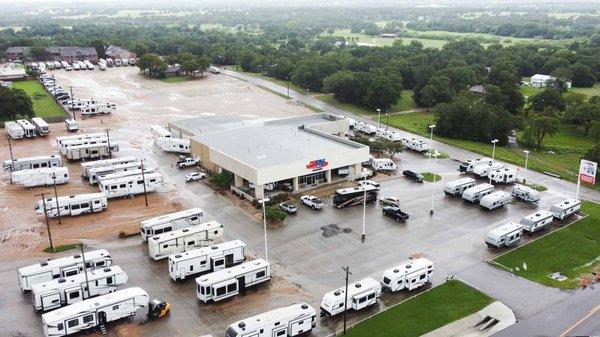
[573, 251]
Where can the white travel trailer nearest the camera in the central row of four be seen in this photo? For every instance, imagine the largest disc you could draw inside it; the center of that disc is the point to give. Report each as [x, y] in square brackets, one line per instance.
[229, 282]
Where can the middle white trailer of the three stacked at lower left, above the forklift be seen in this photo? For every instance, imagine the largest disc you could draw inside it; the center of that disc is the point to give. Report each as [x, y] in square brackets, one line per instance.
[65, 291]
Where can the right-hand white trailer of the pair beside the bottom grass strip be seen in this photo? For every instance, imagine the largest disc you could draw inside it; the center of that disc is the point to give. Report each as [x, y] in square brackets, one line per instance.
[409, 275]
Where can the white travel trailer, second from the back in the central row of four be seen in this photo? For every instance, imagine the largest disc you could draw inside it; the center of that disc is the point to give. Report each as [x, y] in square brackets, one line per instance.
[182, 240]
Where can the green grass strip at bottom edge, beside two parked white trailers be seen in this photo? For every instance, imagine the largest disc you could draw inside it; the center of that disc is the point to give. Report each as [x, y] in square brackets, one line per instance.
[441, 305]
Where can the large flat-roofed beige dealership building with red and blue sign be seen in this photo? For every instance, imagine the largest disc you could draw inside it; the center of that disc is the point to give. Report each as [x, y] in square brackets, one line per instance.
[297, 152]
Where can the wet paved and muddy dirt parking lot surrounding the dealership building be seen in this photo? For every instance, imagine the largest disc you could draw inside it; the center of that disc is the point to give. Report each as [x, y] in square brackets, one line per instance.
[306, 260]
